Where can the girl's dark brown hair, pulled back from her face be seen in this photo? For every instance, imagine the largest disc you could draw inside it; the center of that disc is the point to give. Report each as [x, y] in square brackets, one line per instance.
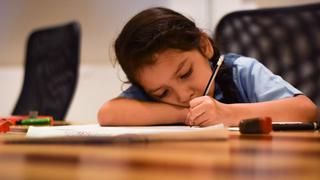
[153, 31]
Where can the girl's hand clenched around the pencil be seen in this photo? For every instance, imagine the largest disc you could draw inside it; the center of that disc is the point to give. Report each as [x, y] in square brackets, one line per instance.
[206, 111]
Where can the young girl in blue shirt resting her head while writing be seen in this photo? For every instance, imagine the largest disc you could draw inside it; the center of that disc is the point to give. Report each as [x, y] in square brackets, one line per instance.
[169, 61]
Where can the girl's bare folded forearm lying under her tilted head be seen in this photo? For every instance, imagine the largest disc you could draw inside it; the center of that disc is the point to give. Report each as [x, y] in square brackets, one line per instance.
[123, 111]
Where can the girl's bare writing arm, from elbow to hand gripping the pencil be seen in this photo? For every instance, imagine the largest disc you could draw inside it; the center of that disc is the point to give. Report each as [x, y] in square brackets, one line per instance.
[206, 111]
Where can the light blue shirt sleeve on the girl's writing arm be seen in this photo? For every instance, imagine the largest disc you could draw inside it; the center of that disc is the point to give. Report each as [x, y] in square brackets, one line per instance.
[257, 83]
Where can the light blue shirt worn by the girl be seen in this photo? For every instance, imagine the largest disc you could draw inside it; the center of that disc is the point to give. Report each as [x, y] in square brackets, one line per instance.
[254, 81]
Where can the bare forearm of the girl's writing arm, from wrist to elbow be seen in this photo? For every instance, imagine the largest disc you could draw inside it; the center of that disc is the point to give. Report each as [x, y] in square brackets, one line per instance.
[299, 108]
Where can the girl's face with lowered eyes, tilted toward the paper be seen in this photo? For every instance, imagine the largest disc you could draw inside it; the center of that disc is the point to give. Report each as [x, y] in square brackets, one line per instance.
[177, 76]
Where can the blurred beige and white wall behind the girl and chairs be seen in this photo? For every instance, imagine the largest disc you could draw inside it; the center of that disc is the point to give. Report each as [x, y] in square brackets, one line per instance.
[101, 21]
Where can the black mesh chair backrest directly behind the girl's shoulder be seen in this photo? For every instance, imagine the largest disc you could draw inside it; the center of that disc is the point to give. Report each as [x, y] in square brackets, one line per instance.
[286, 40]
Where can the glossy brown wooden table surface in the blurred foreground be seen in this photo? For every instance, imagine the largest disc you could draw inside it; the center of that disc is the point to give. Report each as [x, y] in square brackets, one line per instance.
[279, 155]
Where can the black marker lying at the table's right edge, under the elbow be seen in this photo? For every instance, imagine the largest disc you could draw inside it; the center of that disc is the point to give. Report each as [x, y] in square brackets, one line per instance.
[294, 126]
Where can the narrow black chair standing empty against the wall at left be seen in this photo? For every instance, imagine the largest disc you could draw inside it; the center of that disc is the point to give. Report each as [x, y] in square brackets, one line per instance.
[51, 71]
